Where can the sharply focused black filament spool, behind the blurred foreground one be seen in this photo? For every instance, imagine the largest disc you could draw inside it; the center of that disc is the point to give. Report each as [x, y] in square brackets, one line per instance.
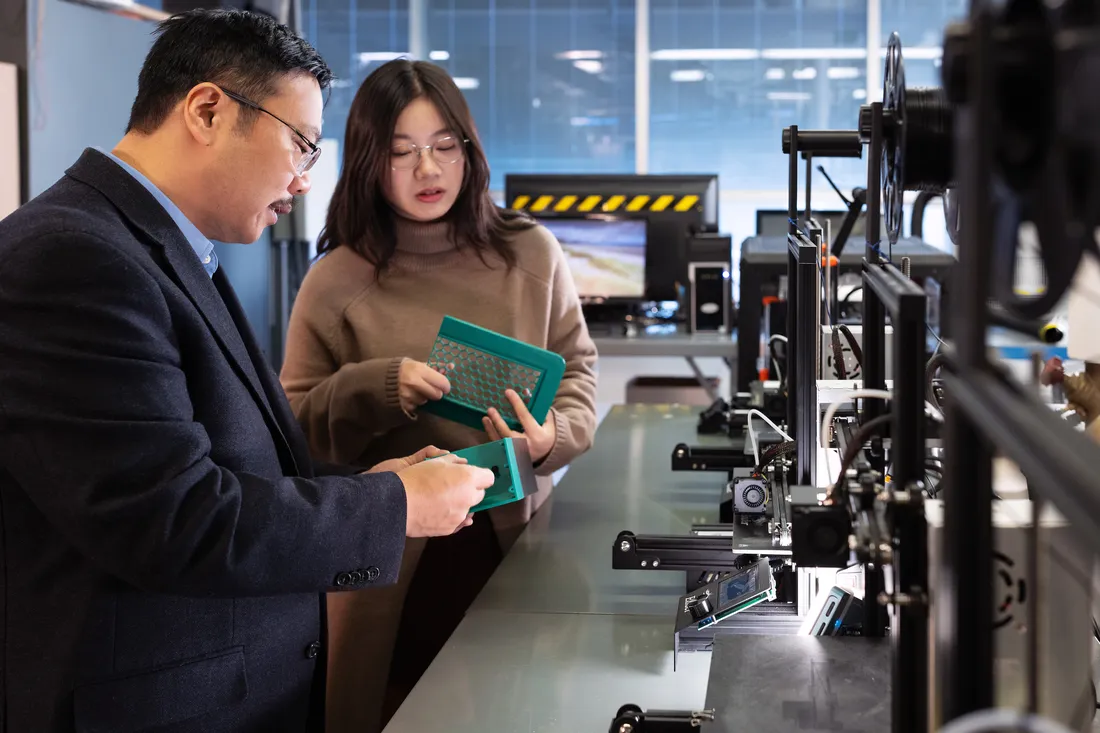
[918, 140]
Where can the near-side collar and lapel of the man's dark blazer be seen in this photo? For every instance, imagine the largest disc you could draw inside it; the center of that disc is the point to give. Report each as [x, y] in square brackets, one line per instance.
[147, 214]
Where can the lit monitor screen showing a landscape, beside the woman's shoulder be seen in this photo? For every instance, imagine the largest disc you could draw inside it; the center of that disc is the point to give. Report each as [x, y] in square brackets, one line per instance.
[607, 256]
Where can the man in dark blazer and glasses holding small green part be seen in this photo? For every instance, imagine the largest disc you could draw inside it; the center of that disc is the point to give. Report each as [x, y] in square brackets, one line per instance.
[166, 538]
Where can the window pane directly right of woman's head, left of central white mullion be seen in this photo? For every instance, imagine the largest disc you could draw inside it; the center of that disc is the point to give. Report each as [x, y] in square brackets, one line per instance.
[551, 83]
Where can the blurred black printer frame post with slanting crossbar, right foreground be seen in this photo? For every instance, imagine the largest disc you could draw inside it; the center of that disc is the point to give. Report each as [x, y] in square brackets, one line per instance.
[987, 411]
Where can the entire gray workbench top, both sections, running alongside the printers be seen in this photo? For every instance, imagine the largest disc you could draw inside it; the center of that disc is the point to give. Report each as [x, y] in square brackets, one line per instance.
[558, 641]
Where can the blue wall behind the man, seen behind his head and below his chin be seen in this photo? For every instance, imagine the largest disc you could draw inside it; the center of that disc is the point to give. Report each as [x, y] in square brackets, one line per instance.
[82, 80]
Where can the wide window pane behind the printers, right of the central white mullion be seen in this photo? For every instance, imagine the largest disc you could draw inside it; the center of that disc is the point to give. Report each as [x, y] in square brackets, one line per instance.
[728, 76]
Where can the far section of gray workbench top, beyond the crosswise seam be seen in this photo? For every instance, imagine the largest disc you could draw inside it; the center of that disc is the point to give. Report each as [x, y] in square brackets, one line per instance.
[563, 563]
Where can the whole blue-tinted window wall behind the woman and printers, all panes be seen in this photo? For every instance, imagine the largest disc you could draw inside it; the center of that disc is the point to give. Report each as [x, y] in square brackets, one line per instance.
[552, 83]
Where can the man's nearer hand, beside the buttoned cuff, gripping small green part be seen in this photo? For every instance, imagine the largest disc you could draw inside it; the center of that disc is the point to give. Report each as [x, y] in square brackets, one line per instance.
[441, 495]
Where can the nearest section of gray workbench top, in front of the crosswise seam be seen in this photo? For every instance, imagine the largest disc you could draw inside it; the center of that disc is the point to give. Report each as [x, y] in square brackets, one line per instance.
[554, 673]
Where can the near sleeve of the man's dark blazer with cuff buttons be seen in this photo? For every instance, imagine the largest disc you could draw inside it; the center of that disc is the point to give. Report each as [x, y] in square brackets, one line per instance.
[96, 413]
